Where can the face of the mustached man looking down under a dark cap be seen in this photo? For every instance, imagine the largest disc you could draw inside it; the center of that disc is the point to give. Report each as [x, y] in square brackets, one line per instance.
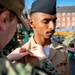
[43, 24]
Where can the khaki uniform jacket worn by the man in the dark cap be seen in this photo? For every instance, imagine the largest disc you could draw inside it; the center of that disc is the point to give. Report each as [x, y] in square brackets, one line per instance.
[58, 56]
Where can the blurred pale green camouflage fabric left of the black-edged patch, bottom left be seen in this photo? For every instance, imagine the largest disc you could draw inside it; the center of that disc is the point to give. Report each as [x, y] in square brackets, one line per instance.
[7, 68]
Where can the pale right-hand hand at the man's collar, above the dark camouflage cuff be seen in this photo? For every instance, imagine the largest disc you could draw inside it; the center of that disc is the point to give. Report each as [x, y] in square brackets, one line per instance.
[38, 51]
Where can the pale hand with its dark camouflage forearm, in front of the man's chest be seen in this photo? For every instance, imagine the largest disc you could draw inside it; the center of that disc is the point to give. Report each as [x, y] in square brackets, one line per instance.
[45, 63]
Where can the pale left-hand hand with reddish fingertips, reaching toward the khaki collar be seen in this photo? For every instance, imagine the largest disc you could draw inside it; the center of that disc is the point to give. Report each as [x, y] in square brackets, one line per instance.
[17, 54]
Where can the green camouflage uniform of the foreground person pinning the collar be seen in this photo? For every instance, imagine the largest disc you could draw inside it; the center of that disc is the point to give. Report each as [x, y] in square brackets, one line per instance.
[7, 68]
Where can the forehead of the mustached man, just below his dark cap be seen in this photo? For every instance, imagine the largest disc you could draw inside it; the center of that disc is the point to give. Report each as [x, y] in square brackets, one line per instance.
[39, 15]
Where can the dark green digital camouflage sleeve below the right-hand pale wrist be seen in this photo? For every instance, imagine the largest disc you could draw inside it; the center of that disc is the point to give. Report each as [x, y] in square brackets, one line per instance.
[47, 65]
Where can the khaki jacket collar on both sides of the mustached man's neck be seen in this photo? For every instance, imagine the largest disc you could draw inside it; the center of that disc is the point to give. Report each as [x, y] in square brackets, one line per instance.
[54, 47]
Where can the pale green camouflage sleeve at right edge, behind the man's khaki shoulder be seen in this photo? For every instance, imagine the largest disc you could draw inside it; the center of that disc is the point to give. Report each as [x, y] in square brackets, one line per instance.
[69, 40]
